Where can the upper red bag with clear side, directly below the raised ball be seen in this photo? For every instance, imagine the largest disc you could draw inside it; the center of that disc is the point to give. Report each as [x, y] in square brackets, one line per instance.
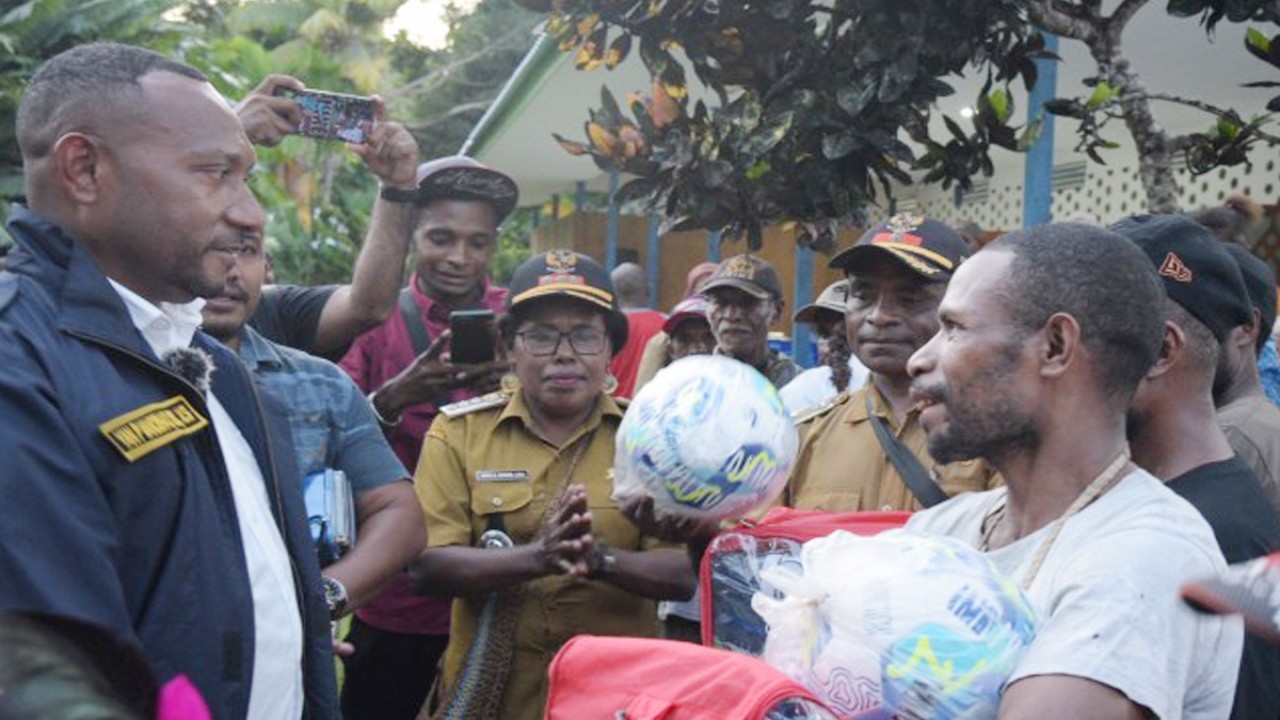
[732, 568]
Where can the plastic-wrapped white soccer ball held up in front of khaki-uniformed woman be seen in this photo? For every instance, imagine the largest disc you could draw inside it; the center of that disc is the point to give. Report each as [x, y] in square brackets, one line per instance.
[708, 438]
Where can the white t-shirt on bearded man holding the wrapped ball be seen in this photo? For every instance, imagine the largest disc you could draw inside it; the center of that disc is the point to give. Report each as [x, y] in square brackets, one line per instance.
[1107, 596]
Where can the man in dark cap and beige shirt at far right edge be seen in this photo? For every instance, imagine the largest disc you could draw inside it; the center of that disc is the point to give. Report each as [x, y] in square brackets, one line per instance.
[1245, 412]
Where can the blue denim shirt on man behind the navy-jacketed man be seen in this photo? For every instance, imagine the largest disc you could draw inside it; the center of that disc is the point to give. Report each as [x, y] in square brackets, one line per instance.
[332, 422]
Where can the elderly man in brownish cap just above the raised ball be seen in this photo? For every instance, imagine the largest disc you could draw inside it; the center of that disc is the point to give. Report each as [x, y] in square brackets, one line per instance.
[746, 298]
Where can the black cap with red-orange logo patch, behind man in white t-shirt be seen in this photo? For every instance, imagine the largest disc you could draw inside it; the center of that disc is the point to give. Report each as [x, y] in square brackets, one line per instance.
[1196, 270]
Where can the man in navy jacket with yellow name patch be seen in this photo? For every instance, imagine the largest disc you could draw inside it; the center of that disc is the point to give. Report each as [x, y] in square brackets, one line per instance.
[147, 487]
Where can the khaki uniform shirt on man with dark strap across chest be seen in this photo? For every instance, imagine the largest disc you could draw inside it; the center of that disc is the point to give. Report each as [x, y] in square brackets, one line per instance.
[843, 468]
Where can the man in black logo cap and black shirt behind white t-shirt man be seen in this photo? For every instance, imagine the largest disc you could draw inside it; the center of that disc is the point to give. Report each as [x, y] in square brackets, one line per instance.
[1173, 427]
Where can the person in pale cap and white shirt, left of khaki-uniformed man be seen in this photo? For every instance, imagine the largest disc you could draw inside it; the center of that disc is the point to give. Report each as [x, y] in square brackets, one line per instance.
[838, 370]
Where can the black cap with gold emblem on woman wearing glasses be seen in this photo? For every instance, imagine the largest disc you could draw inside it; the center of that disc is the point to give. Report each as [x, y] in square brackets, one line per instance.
[564, 274]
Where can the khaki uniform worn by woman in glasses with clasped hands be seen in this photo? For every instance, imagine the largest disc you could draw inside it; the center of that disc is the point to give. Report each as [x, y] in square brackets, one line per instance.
[487, 461]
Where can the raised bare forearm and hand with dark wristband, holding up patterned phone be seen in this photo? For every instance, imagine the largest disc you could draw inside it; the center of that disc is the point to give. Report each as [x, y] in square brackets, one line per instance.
[368, 302]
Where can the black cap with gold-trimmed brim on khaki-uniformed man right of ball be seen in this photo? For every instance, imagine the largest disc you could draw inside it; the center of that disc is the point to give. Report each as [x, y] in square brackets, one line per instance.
[931, 249]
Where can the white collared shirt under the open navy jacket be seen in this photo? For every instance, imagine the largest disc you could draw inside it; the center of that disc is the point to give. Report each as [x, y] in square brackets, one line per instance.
[276, 692]
